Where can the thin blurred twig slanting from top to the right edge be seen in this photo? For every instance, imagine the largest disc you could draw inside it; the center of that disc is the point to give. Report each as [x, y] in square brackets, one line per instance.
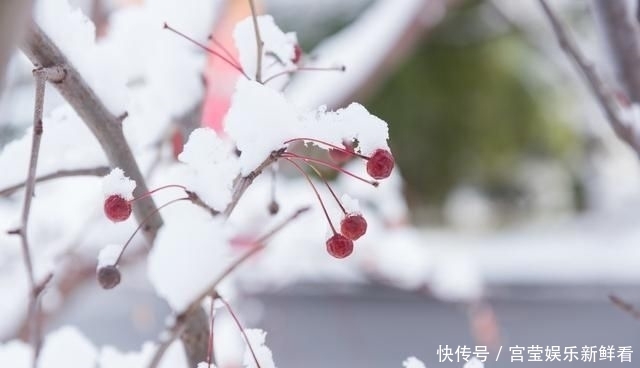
[604, 97]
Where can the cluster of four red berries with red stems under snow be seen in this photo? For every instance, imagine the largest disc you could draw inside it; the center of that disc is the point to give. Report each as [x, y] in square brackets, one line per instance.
[379, 166]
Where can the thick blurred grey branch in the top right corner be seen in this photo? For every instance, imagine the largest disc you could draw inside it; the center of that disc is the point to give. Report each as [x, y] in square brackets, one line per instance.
[623, 39]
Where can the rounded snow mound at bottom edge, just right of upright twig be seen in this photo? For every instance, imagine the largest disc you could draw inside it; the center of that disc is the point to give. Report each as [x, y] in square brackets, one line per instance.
[67, 347]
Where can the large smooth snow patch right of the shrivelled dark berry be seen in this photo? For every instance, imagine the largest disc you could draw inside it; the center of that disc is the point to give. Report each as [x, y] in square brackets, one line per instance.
[186, 259]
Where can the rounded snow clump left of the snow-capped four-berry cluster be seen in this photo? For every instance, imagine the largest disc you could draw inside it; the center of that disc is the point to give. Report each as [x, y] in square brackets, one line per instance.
[213, 167]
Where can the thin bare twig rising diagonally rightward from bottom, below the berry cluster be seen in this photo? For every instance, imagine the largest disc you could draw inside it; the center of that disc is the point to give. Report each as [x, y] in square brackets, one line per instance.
[194, 307]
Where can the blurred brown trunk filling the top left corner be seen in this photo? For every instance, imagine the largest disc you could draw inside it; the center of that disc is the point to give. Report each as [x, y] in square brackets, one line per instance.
[13, 21]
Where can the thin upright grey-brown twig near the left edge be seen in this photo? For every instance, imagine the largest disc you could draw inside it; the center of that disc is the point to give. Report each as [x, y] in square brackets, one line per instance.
[54, 74]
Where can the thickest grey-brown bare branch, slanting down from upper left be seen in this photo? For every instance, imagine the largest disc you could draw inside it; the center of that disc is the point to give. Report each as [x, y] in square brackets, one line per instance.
[103, 124]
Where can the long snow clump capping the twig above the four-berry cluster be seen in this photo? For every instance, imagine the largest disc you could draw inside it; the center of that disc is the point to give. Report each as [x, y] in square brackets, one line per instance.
[259, 111]
